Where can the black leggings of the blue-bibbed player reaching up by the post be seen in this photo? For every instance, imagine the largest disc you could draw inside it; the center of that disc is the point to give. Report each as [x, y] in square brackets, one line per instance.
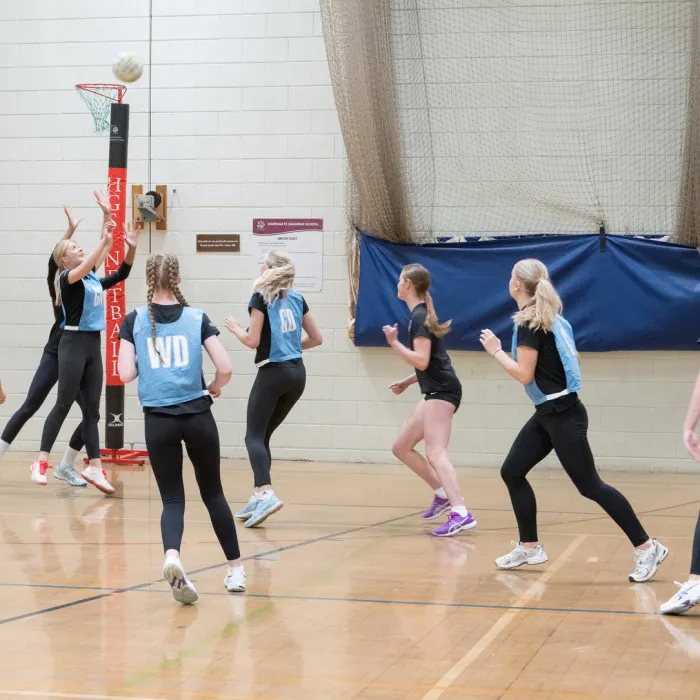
[79, 371]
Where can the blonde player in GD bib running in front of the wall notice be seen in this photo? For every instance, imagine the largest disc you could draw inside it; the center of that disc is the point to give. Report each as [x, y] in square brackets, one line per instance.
[277, 316]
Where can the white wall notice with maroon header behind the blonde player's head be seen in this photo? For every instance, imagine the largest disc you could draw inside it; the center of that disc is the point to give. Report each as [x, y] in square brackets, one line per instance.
[301, 238]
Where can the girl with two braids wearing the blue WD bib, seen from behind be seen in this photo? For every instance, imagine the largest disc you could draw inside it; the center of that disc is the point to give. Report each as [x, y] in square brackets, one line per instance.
[162, 345]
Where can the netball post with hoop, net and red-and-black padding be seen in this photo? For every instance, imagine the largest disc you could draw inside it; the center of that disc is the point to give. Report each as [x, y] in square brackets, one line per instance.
[111, 116]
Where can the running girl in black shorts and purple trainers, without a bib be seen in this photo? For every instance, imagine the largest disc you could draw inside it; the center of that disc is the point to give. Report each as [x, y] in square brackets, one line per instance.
[432, 418]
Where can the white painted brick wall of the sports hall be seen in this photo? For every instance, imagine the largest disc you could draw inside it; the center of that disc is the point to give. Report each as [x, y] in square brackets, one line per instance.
[244, 126]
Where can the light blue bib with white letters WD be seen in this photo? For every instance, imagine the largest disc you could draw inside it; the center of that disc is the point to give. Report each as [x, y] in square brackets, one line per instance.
[176, 376]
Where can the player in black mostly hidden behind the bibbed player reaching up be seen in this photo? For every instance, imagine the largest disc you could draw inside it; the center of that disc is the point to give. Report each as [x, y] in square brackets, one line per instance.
[46, 377]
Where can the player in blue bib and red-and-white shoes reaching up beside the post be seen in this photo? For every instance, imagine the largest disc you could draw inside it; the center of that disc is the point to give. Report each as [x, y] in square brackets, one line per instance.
[81, 294]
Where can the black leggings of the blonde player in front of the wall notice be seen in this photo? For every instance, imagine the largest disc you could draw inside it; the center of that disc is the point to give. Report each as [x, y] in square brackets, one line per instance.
[277, 387]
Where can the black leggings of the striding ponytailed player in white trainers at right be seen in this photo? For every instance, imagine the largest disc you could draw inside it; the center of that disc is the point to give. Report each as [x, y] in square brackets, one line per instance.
[566, 432]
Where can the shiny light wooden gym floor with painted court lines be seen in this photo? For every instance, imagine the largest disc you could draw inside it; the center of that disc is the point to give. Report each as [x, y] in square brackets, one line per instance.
[347, 597]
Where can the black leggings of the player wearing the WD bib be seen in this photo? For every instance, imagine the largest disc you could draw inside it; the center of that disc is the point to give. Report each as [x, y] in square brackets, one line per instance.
[164, 437]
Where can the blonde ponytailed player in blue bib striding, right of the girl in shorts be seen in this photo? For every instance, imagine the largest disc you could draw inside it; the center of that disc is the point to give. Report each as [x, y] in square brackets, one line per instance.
[545, 361]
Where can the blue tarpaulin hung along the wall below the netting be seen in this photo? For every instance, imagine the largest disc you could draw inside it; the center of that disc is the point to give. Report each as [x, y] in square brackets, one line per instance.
[619, 292]
